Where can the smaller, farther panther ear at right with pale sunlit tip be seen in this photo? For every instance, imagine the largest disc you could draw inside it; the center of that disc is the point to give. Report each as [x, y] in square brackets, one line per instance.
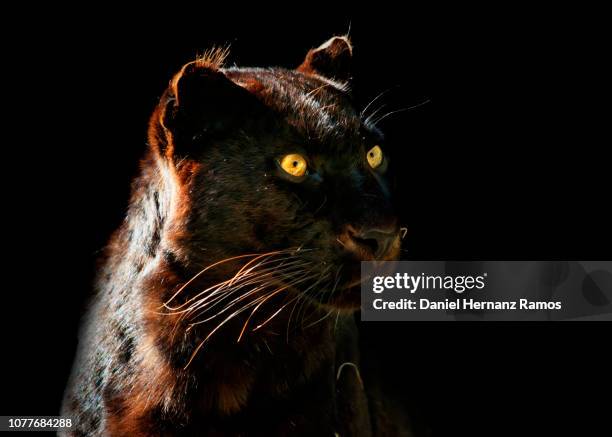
[332, 59]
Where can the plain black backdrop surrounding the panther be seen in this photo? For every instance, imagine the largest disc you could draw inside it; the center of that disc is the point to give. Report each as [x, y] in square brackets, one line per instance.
[508, 160]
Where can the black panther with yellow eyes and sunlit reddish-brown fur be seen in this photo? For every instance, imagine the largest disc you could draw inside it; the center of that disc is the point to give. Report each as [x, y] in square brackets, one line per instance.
[224, 304]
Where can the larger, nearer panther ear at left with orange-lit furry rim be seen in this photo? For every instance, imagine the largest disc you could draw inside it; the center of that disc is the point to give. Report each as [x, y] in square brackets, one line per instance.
[200, 102]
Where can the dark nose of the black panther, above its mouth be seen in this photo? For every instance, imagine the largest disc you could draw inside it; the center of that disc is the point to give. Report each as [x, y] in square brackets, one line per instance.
[372, 243]
